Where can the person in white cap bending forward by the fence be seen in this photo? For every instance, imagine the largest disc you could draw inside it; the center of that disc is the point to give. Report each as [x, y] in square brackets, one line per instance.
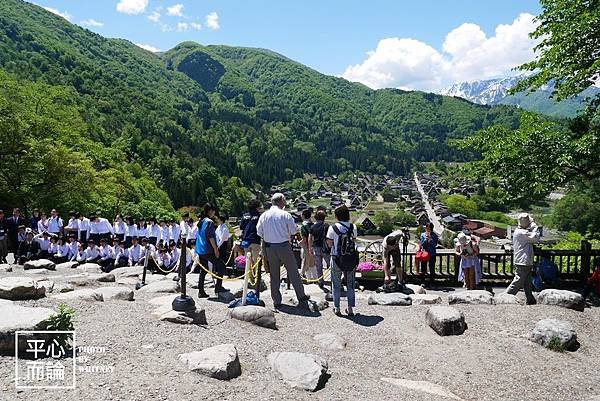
[391, 252]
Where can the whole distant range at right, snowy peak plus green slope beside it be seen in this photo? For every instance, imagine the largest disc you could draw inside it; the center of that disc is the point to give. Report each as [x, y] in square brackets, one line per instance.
[495, 91]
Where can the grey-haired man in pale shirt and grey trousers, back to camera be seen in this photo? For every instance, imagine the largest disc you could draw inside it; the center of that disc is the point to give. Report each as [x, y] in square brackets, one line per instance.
[276, 227]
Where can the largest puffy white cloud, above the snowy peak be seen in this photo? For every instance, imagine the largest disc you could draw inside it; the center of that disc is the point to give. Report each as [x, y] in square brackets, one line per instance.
[468, 54]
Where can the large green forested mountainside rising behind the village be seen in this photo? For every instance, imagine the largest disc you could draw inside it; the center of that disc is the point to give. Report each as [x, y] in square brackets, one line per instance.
[196, 117]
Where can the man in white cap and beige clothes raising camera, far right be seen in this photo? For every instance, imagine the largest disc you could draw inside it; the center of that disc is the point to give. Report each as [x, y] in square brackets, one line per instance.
[525, 235]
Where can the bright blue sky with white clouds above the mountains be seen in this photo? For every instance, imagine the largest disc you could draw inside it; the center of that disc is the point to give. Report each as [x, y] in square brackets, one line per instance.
[405, 38]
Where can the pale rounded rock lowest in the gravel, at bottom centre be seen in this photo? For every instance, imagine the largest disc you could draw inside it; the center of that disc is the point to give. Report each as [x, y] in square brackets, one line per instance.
[304, 371]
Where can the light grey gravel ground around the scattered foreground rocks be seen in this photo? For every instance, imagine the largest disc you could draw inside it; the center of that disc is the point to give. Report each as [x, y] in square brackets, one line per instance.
[491, 361]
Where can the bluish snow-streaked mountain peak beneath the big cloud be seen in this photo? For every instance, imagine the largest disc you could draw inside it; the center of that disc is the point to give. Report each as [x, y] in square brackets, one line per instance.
[489, 91]
